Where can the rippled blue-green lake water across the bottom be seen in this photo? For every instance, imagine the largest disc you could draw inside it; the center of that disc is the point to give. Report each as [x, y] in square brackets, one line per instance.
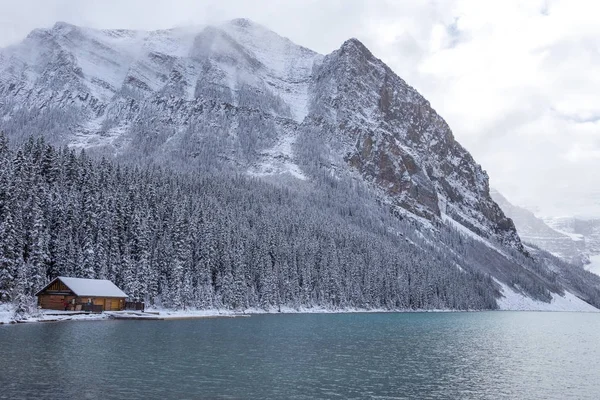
[491, 355]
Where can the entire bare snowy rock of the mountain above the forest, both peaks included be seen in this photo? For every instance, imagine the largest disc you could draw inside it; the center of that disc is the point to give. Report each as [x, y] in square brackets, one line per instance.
[241, 96]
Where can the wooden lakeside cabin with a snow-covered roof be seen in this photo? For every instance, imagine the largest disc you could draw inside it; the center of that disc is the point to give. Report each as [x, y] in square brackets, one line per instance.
[77, 294]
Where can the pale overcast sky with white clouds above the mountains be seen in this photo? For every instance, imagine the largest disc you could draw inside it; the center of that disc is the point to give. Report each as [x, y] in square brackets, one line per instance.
[518, 81]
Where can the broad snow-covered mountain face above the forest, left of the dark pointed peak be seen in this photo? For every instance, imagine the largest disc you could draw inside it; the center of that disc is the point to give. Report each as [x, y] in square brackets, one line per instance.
[111, 80]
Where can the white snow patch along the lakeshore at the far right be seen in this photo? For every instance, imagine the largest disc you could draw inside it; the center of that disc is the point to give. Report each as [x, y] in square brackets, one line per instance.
[514, 301]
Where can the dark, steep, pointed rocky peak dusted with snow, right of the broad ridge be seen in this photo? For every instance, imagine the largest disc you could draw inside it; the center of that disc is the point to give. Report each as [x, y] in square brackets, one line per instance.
[397, 141]
